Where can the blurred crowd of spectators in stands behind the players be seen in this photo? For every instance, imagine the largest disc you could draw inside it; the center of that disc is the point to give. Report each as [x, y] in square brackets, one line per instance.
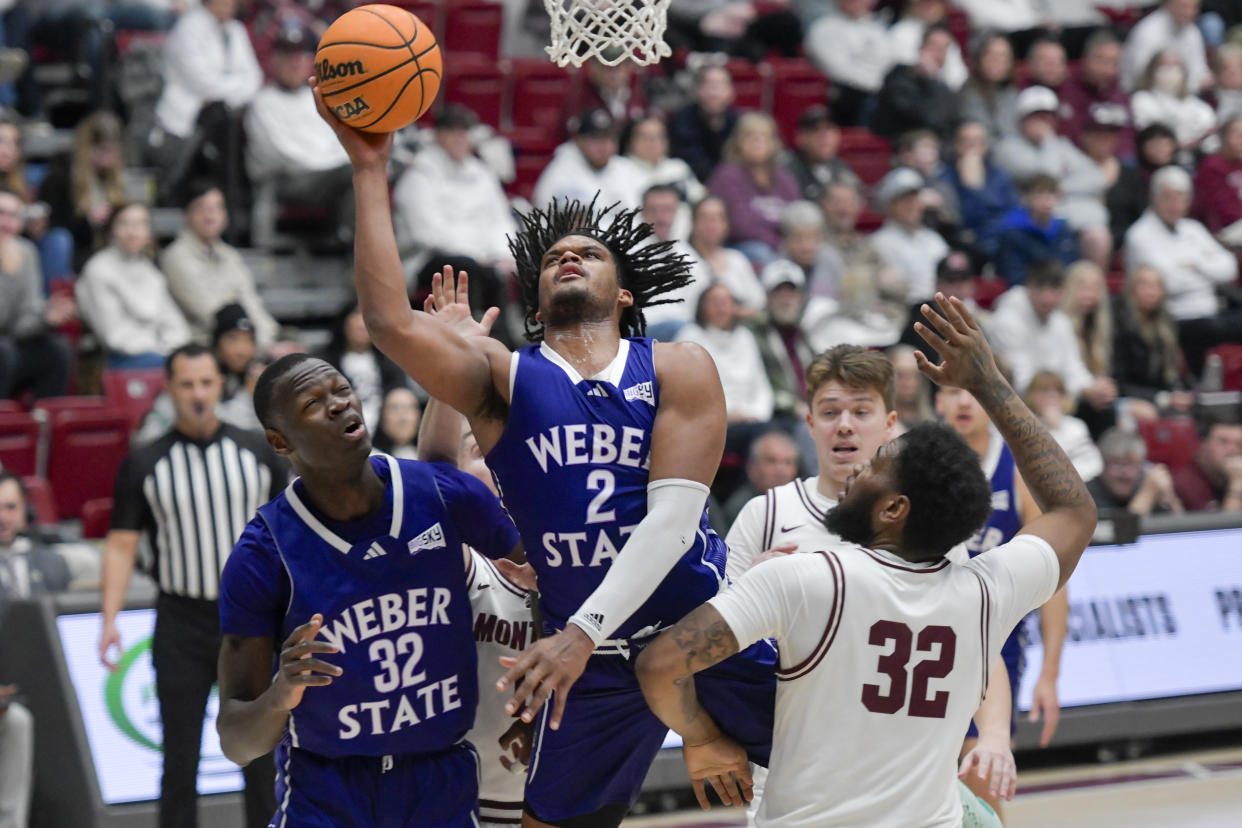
[1071, 171]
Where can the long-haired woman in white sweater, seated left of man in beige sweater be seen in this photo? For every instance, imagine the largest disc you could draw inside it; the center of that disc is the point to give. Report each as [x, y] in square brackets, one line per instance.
[125, 299]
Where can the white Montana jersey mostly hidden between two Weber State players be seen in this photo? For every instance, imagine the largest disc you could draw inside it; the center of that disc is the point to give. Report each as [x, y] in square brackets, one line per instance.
[502, 628]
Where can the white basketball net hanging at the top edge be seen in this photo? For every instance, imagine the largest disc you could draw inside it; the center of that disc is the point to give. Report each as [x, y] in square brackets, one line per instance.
[608, 30]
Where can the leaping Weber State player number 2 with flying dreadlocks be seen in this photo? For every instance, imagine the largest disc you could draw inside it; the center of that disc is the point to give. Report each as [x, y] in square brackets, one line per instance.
[603, 444]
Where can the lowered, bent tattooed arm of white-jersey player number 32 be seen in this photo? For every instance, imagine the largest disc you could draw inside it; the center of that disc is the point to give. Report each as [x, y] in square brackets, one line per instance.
[666, 672]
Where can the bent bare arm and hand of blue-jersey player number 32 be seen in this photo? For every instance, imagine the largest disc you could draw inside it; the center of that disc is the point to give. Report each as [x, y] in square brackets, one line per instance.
[255, 707]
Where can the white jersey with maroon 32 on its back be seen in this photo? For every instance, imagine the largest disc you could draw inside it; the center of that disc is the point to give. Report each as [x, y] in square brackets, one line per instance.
[882, 665]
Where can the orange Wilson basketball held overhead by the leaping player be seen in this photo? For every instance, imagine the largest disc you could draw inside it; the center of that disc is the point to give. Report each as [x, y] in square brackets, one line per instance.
[379, 68]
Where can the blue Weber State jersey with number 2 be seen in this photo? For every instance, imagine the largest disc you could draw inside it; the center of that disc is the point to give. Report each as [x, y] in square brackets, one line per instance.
[573, 467]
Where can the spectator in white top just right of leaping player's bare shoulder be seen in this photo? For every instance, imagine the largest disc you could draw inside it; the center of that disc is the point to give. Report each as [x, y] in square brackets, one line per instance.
[748, 397]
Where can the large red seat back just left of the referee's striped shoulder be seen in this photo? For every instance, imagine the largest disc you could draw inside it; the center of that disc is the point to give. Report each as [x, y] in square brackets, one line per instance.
[85, 451]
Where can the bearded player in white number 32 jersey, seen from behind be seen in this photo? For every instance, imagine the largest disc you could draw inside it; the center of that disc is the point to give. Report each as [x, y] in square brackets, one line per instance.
[885, 644]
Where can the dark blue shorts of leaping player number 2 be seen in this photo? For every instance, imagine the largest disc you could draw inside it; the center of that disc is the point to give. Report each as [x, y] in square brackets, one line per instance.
[609, 737]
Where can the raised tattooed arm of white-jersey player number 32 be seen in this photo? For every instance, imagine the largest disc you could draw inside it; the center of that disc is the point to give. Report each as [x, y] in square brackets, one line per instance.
[1069, 518]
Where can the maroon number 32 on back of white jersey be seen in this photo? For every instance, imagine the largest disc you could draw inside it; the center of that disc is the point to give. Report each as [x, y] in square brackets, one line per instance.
[895, 662]
